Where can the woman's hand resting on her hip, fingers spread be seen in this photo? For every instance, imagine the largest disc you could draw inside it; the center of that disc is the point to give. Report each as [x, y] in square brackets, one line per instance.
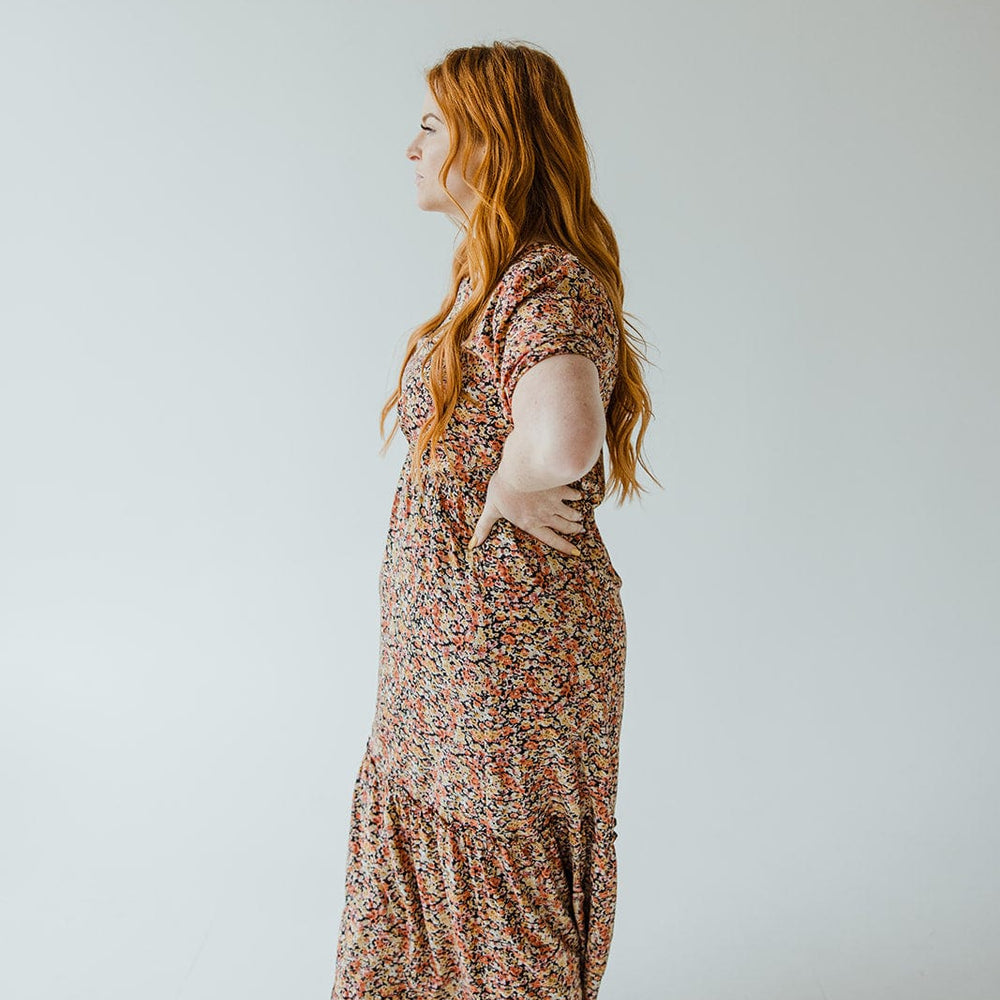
[542, 513]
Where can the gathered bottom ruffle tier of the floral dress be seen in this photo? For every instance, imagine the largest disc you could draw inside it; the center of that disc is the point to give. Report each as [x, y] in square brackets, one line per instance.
[441, 910]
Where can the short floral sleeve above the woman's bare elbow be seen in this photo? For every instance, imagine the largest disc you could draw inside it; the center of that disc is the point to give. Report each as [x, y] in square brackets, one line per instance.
[553, 307]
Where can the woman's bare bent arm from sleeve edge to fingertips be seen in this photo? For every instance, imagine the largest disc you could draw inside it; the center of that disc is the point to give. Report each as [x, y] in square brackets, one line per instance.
[558, 434]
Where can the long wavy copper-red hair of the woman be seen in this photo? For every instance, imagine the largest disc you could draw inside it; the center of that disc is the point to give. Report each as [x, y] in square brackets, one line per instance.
[512, 101]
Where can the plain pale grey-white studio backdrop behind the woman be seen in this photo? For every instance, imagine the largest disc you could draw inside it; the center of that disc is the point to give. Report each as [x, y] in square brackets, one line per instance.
[211, 258]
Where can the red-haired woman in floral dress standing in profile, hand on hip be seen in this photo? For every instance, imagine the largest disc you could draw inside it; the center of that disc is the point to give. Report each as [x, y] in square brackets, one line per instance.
[481, 859]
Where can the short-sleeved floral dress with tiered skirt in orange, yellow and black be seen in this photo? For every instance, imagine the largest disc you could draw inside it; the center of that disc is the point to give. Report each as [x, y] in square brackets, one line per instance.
[481, 856]
